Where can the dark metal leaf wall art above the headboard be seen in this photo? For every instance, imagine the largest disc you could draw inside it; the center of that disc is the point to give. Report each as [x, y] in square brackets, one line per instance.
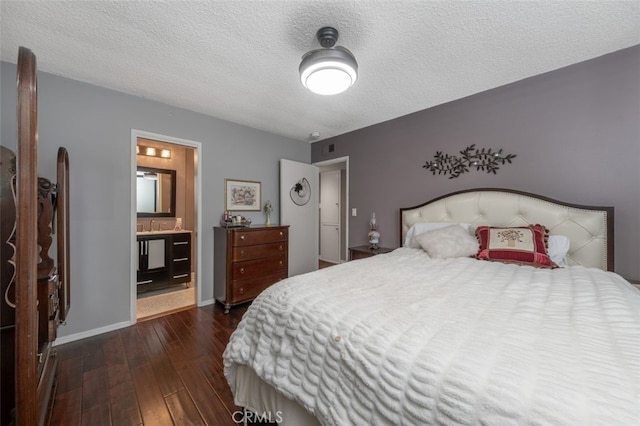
[484, 159]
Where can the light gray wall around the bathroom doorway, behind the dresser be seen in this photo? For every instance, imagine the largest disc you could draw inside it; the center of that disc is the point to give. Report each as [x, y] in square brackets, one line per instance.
[95, 124]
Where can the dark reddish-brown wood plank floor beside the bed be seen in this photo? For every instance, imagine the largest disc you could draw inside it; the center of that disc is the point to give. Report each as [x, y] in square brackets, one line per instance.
[165, 371]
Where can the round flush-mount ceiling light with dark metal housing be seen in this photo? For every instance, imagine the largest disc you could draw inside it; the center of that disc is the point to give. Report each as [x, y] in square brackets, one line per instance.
[330, 70]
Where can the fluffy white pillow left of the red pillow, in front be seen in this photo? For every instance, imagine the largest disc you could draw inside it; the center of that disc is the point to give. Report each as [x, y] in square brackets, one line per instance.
[451, 241]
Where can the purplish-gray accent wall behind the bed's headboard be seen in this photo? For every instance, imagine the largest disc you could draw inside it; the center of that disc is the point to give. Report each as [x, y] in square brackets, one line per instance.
[575, 131]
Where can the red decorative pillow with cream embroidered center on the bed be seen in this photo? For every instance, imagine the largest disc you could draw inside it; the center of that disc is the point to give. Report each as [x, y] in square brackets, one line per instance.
[524, 245]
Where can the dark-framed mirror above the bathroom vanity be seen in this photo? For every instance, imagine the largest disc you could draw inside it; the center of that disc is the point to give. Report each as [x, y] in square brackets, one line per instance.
[156, 192]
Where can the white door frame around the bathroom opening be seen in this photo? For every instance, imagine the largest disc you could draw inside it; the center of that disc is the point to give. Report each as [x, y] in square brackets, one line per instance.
[197, 146]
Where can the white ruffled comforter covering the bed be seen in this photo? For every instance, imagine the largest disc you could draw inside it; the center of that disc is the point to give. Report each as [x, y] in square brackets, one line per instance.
[404, 339]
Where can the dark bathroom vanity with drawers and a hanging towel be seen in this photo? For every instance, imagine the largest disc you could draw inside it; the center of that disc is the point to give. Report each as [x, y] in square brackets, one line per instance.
[164, 259]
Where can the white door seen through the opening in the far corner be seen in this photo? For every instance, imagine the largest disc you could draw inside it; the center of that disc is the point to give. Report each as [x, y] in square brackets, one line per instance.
[330, 216]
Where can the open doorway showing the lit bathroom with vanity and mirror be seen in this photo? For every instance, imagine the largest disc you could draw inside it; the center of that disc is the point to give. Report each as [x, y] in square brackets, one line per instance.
[165, 220]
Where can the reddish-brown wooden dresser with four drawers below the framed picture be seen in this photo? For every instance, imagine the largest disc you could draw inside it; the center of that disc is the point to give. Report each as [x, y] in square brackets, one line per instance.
[247, 260]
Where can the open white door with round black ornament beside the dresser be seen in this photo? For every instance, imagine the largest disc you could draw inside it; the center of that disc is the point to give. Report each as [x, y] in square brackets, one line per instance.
[299, 210]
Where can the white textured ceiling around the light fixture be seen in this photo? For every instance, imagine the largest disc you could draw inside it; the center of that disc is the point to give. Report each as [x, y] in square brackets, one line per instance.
[238, 60]
